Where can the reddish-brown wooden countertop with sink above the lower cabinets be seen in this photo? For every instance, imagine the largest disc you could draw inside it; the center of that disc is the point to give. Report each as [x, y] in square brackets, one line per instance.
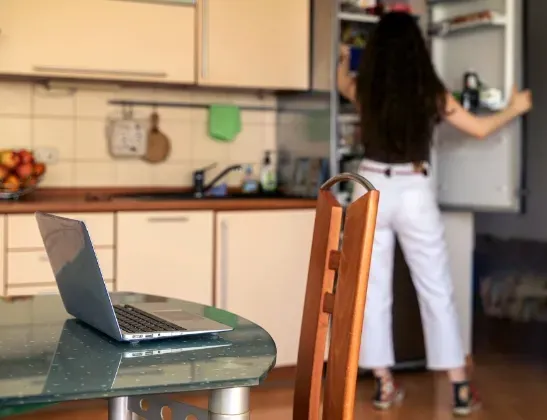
[58, 200]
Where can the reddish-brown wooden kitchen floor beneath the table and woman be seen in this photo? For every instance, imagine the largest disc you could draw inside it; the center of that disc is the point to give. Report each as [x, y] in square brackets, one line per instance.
[510, 373]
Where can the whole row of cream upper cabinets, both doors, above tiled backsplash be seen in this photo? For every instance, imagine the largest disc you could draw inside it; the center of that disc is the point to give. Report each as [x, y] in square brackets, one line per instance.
[262, 44]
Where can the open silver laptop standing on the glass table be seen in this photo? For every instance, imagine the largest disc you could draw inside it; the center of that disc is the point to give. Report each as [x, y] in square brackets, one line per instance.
[85, 297]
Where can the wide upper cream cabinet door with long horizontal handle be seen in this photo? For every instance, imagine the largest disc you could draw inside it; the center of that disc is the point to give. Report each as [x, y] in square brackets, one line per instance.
[103, 39]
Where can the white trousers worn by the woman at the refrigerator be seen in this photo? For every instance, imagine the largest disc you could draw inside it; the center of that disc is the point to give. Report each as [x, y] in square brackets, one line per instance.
[408, 209]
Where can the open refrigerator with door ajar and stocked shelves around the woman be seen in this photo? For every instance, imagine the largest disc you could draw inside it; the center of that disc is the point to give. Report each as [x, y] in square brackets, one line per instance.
[479, 36]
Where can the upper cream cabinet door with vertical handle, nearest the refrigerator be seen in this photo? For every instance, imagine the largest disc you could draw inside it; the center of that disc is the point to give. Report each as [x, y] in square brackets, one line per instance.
[258, 44]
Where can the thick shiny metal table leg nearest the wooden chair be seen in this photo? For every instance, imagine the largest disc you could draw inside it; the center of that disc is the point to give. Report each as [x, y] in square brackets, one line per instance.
[229, 404]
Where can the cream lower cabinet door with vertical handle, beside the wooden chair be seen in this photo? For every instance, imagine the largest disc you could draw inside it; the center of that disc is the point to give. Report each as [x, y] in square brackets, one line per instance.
[262, 266]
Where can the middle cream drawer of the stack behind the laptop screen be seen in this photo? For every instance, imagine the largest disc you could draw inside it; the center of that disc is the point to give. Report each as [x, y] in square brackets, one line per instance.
[32, 267]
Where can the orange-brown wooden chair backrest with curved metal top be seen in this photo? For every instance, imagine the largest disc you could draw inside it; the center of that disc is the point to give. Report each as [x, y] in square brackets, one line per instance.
[341, 305]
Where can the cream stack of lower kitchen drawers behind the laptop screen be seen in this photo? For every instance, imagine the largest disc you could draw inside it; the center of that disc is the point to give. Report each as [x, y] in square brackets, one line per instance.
[27, 269]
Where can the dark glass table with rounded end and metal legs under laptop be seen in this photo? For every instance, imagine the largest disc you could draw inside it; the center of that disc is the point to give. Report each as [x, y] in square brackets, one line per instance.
[47, 357]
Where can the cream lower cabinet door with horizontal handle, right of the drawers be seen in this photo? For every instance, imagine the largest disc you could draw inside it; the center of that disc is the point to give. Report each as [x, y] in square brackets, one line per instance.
[167, 254]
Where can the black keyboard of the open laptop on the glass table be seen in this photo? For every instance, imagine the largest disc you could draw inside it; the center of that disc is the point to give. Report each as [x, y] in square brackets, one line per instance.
[134, 320]
